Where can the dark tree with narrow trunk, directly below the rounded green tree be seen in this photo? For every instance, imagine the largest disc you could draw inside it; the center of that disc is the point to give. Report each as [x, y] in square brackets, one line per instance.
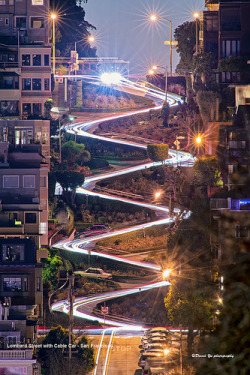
[69, 182]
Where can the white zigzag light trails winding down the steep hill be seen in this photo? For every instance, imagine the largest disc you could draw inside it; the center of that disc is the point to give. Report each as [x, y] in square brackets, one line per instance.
[85, 245]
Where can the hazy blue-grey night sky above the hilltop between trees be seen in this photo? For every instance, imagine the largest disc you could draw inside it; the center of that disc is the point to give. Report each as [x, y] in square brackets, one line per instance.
[124, 29]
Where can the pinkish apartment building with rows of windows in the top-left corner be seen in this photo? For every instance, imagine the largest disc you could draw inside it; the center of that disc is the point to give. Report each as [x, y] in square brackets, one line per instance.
[25, 58]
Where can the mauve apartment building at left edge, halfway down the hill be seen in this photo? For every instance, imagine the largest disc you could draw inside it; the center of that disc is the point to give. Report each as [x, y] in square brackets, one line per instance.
[24, 194]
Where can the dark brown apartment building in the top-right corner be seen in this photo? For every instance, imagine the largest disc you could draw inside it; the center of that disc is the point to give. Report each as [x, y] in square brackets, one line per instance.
[226, 33]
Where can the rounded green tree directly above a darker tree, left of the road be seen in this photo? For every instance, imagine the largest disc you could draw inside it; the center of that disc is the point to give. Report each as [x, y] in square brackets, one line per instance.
[72, 153]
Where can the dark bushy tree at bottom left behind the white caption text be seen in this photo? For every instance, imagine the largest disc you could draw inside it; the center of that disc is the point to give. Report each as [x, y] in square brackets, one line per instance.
[54, 354]
